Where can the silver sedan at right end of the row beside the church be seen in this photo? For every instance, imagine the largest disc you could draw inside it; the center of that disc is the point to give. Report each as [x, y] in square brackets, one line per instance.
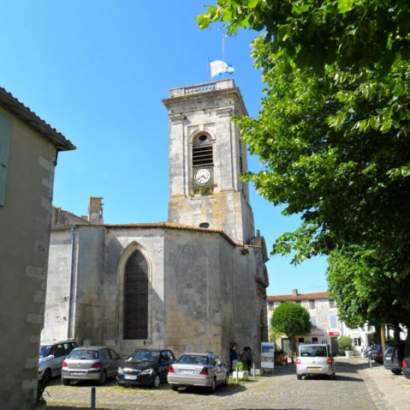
[198, 369]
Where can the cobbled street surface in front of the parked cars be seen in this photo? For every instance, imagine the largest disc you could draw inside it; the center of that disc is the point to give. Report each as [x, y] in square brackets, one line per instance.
[281, 391]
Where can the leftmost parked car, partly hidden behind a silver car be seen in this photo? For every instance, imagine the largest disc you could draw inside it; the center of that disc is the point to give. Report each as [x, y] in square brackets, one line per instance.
[51, 357]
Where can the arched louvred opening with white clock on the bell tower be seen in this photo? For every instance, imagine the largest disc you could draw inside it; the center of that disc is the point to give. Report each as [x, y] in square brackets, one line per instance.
[202, 164]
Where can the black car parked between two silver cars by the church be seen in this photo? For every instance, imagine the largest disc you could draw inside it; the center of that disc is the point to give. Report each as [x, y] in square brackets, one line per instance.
[148, 367]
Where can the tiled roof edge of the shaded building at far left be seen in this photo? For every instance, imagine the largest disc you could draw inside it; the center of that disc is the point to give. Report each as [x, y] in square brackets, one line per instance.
[16, 107]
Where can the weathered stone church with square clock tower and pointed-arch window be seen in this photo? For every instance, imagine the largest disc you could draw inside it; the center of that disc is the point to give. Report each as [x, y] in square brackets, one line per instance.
[196, 282]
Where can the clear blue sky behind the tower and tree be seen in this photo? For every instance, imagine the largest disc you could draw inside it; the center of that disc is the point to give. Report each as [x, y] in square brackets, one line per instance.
[97, 71]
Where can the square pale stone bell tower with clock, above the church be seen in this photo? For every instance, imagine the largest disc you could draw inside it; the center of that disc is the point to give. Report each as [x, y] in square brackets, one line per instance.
[206, 159]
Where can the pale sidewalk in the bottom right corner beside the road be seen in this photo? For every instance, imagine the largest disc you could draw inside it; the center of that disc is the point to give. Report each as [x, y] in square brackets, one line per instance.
[389, 391]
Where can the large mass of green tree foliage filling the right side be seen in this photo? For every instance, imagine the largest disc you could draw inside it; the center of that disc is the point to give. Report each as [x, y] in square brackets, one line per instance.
[334, 136]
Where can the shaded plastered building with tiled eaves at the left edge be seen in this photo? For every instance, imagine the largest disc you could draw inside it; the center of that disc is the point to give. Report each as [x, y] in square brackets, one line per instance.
[28, 156]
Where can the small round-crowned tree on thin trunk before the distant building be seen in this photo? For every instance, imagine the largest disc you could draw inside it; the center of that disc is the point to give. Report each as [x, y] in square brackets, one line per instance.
[292, 320]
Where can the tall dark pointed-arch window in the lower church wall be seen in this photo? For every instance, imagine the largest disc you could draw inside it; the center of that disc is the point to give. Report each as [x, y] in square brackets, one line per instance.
[135, 319]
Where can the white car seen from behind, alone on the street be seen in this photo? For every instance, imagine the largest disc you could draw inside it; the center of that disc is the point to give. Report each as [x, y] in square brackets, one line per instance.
[314, 359]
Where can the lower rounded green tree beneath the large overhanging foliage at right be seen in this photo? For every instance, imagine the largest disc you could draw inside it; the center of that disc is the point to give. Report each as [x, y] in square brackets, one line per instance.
[365, 288]
